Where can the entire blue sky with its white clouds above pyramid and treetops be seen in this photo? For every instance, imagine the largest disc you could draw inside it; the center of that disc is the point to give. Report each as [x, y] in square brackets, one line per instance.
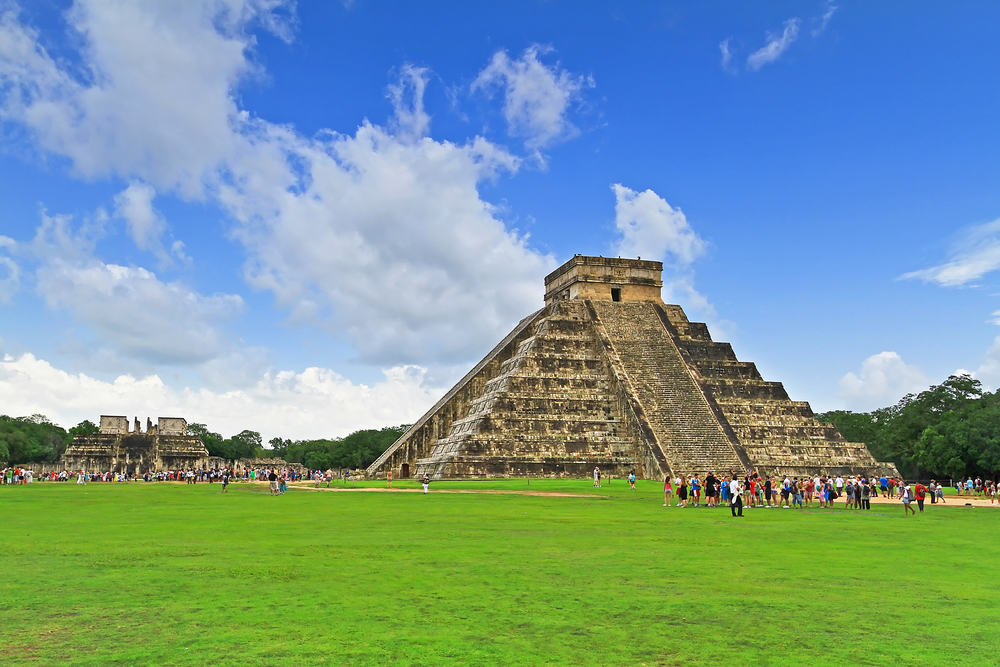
[310, 219]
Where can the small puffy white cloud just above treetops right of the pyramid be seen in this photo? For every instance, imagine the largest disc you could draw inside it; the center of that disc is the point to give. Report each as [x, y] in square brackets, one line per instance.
[884, 378]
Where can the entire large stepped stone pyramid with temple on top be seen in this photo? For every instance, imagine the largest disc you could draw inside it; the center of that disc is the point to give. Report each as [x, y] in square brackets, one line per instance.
[607, 375]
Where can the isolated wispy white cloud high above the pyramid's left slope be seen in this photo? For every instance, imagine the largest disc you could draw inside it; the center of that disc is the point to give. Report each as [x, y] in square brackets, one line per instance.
[536, 97]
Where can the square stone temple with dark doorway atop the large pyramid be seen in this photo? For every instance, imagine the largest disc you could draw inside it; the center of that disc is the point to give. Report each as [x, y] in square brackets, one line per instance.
[605, 279]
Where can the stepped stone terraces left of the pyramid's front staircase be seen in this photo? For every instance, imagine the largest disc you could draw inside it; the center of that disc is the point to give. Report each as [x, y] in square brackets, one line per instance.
[549, 411]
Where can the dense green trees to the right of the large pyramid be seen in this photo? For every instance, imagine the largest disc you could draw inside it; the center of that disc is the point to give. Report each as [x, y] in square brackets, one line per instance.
[948, 431]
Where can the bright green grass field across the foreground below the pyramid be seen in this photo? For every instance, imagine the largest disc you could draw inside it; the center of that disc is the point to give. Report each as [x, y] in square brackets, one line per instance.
[175, 574]
